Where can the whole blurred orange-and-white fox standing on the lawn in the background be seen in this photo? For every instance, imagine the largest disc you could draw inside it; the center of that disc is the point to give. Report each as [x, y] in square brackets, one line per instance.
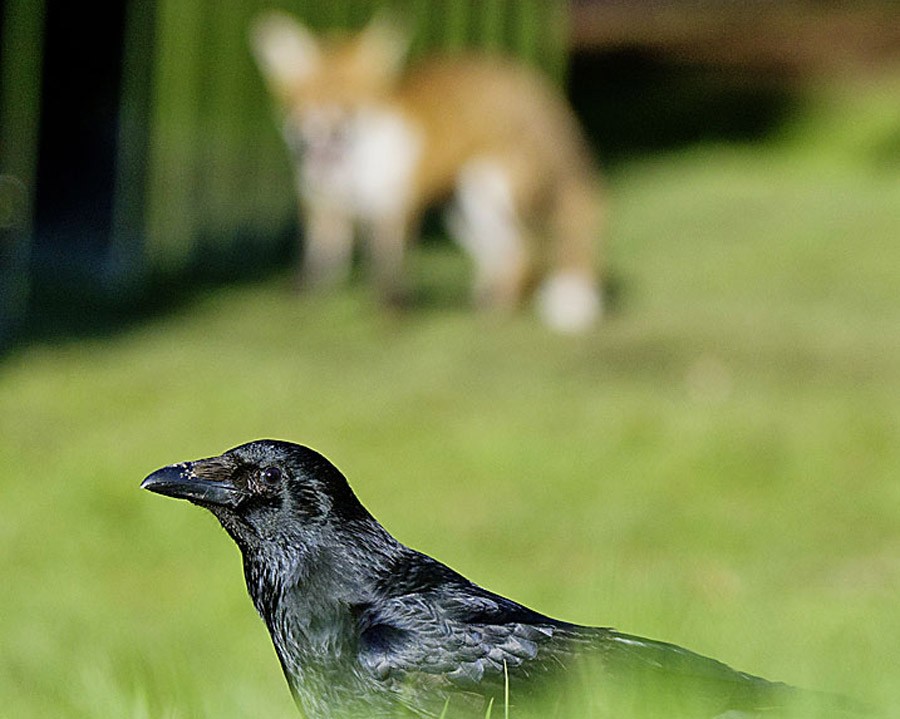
[374, 146]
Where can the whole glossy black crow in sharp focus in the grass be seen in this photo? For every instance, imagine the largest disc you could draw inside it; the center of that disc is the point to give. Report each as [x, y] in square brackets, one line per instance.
[367, 627]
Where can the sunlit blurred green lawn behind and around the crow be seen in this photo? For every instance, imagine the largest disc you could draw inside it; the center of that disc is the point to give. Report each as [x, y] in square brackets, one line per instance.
[717, 465]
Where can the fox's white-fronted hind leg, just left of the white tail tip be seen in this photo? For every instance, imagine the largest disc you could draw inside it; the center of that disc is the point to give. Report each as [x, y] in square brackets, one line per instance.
[484, 221]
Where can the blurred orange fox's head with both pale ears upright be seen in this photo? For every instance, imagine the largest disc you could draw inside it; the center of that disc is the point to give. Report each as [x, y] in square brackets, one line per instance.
[323, 84]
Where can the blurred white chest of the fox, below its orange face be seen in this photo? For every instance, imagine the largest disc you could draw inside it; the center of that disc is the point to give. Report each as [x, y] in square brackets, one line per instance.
[362, 162]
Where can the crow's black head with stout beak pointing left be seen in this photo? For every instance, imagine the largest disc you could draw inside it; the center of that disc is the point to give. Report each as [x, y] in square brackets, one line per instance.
[263, 491]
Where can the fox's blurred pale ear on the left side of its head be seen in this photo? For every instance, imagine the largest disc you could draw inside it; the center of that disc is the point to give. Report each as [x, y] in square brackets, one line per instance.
[286, 51]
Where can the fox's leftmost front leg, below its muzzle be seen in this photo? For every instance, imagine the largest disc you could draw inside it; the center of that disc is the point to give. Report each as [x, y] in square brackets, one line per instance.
[328, 247]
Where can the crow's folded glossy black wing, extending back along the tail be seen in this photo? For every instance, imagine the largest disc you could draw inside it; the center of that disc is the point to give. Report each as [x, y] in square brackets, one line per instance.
[450, 634]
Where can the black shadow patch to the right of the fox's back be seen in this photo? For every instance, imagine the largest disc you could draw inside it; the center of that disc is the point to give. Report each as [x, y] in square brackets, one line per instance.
[634, 103]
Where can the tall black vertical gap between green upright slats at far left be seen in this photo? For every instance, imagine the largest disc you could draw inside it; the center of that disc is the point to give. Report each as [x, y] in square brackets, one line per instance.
[78, 145]
